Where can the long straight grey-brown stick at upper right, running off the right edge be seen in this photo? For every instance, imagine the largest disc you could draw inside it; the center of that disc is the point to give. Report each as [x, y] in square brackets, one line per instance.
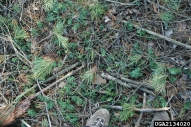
[162, 36]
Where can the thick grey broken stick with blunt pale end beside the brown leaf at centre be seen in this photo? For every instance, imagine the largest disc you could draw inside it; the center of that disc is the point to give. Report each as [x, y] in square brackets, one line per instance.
[129, 85]
